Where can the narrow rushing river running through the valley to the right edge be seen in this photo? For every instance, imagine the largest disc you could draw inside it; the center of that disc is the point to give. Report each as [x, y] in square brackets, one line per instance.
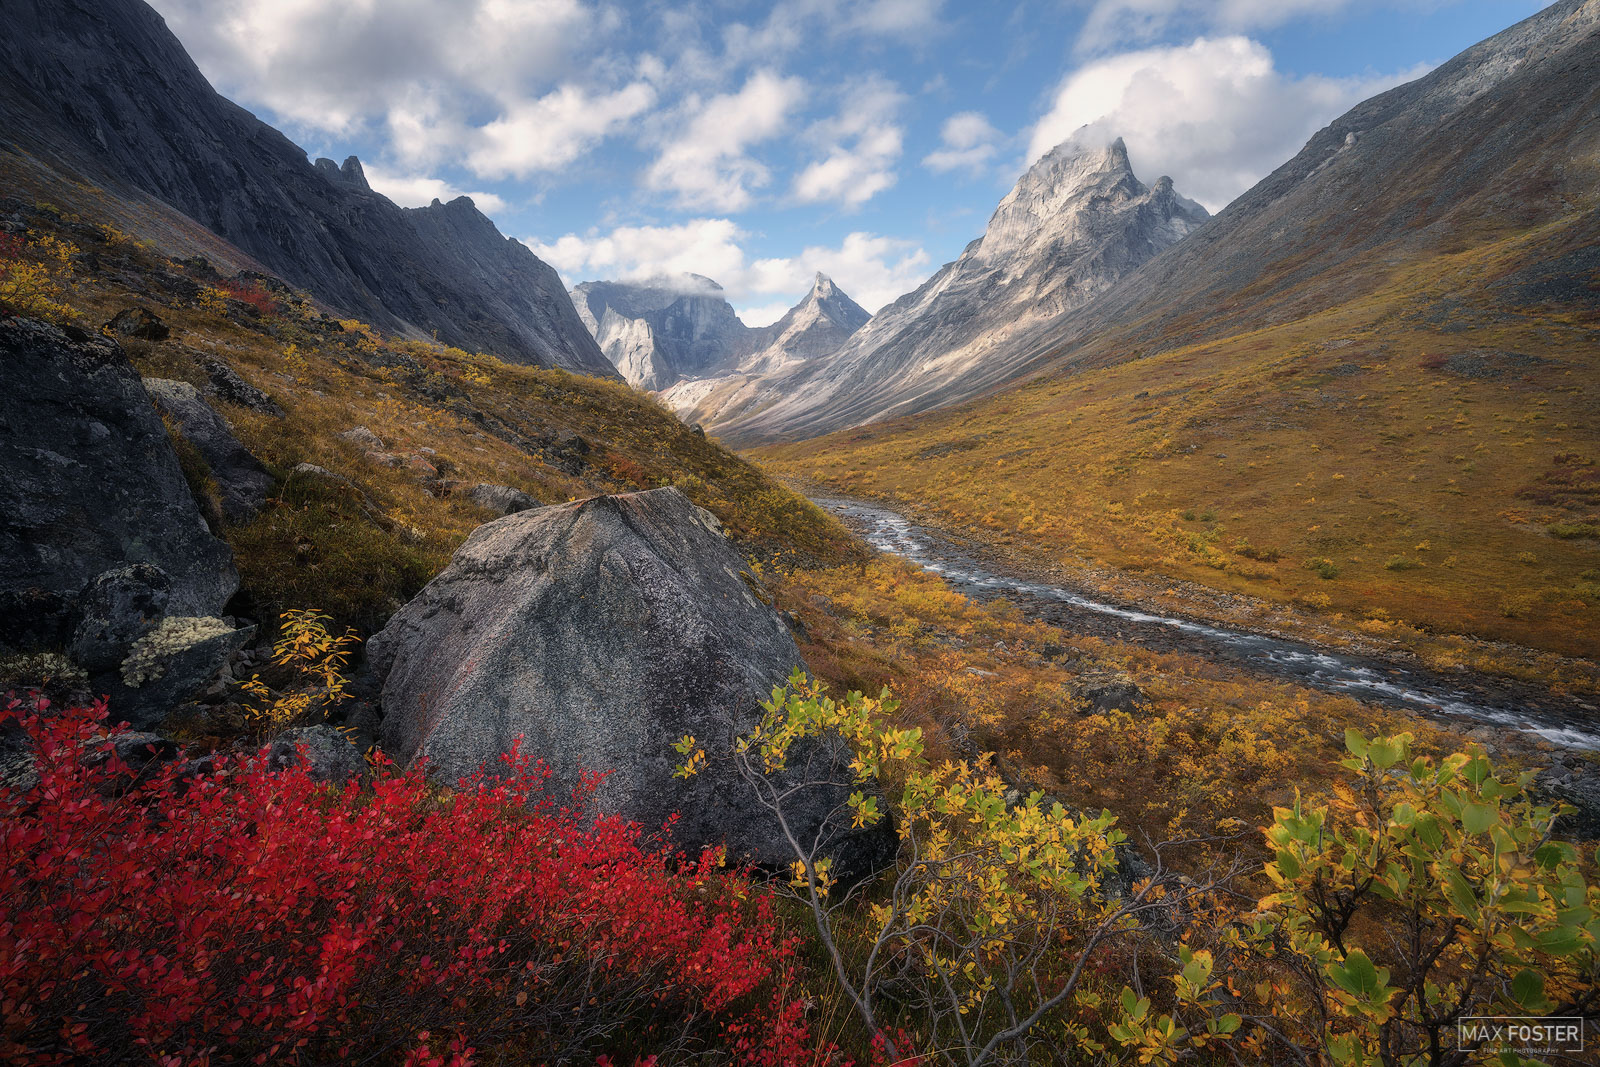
[1562, 721]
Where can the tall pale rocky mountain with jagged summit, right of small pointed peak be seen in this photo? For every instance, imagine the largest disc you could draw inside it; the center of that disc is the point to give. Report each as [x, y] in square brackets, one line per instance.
[1071, 228]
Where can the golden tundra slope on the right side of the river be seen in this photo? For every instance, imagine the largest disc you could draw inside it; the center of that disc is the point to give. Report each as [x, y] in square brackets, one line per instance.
[1410, 470]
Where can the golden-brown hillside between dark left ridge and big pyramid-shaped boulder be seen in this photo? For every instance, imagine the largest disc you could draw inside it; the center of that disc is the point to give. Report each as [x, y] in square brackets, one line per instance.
[364, 543]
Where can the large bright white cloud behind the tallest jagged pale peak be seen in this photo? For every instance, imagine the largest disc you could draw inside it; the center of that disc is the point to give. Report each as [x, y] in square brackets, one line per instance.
[1215, 114]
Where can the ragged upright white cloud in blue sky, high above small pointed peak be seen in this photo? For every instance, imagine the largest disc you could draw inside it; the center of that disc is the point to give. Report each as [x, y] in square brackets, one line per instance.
[862, 146]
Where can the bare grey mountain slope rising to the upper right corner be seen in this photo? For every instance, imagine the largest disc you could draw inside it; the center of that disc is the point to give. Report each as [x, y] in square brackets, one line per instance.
[1500, 142]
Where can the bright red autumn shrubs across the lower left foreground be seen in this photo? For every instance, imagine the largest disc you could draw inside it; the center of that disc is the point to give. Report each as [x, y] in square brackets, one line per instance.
[247, 916]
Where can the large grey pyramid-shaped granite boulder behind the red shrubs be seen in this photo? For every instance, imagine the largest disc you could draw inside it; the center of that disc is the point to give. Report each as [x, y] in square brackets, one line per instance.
[601, 633]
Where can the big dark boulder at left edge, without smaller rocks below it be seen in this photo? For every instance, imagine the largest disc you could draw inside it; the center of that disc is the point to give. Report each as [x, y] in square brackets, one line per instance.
[89, 484]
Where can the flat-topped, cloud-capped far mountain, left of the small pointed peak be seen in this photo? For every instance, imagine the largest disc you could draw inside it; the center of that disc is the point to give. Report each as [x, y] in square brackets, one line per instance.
[660, 332]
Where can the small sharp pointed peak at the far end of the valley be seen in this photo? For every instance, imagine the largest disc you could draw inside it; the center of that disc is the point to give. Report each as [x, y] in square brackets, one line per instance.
[814, 329]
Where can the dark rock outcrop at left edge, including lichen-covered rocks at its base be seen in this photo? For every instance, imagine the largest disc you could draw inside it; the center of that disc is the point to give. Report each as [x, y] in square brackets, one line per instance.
[102, 543]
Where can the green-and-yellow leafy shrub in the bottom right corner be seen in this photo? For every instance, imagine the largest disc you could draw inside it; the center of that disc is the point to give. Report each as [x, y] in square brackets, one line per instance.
[1426, 895]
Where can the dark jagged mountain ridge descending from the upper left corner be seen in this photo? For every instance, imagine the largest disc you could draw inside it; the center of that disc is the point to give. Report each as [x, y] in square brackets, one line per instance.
[103, 92]
